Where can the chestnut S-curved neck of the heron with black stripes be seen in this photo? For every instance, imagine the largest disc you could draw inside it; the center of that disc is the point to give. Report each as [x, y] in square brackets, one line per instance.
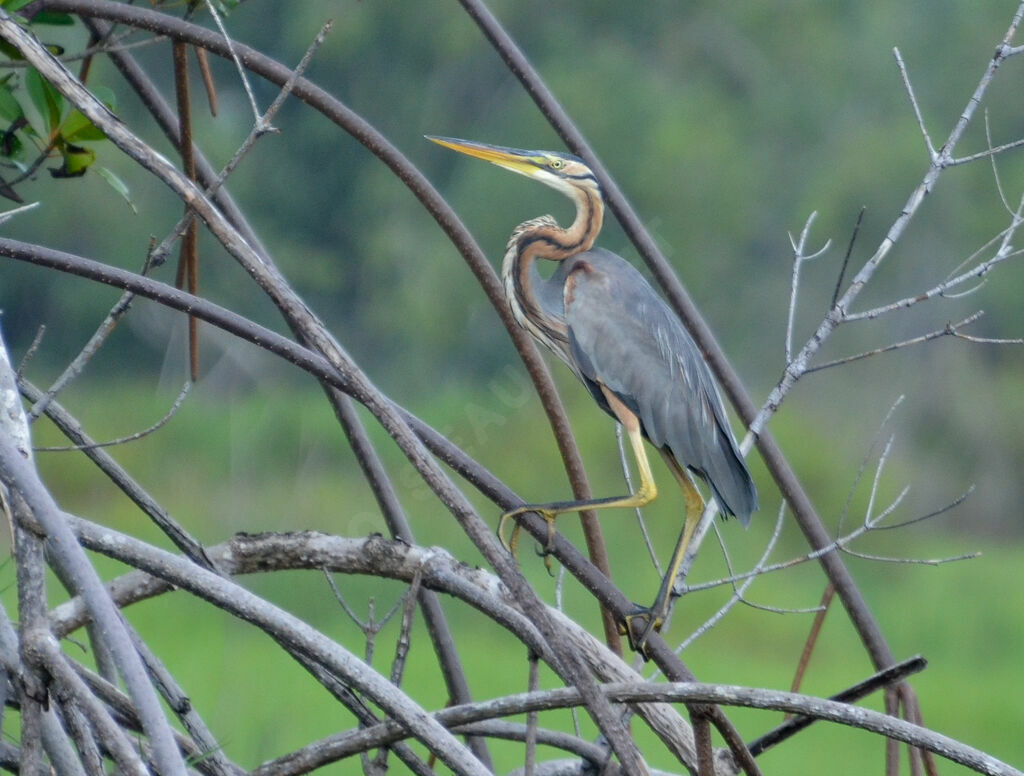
[543, 238]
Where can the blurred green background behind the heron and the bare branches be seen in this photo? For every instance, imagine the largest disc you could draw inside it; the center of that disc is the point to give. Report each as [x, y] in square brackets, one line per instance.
[727, 125]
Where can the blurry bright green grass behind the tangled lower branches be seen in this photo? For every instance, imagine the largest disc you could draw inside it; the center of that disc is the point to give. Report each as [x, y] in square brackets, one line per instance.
[254, 464]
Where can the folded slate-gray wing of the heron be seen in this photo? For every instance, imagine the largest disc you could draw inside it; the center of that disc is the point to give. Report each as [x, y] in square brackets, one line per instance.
[624, 336]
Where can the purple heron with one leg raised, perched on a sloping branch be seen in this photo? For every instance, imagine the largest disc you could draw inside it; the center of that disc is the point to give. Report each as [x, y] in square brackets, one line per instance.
[600, 316]
